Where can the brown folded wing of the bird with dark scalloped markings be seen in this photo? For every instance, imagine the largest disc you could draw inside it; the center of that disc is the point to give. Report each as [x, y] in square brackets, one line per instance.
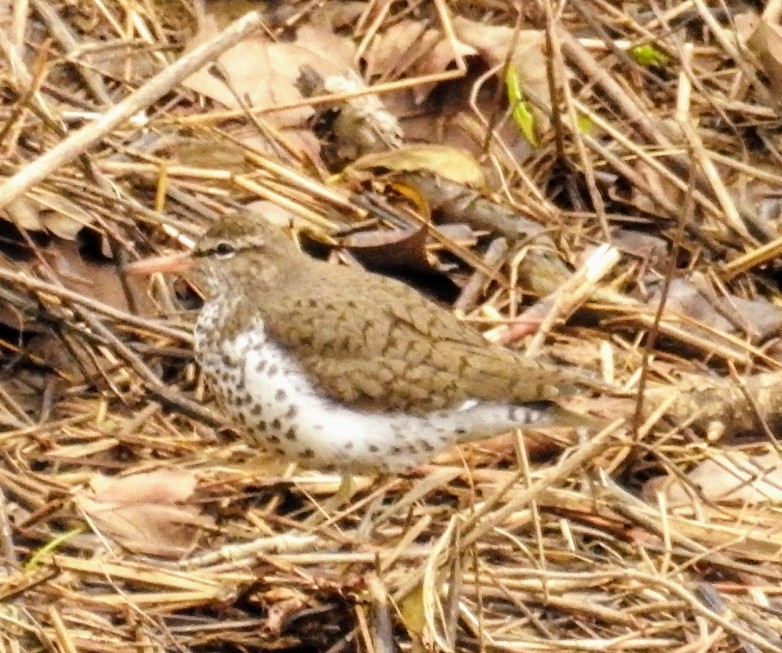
[389, 346]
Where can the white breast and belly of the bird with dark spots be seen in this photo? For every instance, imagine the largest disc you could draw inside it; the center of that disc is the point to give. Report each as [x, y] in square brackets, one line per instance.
[268, 394]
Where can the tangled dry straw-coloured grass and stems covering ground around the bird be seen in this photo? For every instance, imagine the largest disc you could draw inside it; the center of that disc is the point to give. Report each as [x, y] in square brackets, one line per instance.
[502, 546]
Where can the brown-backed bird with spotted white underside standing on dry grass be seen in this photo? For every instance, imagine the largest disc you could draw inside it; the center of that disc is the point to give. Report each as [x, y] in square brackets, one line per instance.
[338, 368]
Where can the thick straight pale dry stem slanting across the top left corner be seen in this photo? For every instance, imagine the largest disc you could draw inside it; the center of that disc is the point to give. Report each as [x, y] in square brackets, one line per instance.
[78, 142]
